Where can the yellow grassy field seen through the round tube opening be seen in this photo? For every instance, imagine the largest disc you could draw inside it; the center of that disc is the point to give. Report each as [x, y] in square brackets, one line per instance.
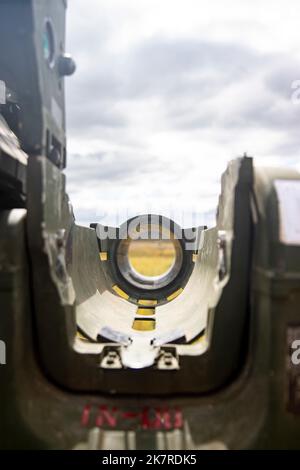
[151, 258]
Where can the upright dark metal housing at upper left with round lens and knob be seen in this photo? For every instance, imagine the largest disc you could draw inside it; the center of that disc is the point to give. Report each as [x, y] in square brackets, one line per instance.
[32, 64]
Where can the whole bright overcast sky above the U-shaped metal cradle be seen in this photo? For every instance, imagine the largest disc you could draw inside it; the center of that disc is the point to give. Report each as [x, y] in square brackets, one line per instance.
[167, 92]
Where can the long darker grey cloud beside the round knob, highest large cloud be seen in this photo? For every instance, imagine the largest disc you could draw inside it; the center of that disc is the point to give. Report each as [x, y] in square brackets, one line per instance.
[161, 67]
